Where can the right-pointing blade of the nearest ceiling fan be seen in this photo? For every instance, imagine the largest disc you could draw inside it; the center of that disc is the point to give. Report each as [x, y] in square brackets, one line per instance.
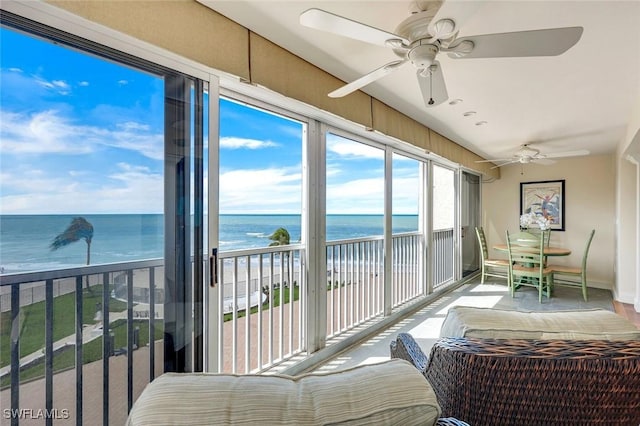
[549, 42]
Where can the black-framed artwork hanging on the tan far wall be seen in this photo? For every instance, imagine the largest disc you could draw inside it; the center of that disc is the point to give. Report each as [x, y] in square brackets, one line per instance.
[544, 198]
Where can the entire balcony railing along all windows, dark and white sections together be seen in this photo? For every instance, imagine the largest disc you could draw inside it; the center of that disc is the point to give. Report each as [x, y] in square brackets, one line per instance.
[58, 358]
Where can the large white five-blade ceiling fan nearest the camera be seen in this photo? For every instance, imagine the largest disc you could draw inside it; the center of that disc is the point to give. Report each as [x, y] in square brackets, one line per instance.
[418, 40]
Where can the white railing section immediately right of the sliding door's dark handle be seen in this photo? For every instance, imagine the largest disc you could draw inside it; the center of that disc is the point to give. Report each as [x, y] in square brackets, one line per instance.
[270, 283]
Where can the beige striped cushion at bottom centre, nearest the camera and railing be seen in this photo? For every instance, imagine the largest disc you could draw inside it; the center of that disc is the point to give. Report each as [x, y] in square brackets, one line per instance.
[390, 393]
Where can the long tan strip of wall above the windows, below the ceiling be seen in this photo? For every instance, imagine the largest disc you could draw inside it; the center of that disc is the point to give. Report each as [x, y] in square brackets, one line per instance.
[195, 32]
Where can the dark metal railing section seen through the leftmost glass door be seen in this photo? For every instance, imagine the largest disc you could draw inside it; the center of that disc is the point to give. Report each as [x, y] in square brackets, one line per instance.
[54, 324]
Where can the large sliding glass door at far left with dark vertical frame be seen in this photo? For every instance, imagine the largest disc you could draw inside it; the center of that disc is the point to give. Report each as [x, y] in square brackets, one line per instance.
[102, 223]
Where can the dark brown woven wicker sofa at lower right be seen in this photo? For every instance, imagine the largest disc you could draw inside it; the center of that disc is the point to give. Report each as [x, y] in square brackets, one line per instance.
[533, 381]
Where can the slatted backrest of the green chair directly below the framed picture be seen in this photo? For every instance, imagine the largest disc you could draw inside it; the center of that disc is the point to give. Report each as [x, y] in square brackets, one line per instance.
[526, 249]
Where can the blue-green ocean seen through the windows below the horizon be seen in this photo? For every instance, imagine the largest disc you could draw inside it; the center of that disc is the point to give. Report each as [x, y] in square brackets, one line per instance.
[25, 239]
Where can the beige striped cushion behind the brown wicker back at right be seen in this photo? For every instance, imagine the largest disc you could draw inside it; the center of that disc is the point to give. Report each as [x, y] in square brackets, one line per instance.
[599, 324]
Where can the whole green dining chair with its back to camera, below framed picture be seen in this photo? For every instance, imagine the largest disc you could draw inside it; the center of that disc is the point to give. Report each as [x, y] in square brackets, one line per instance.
[527, 264]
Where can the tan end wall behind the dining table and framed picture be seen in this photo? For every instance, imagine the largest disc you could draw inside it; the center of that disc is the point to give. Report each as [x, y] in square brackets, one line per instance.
[589, 204]
